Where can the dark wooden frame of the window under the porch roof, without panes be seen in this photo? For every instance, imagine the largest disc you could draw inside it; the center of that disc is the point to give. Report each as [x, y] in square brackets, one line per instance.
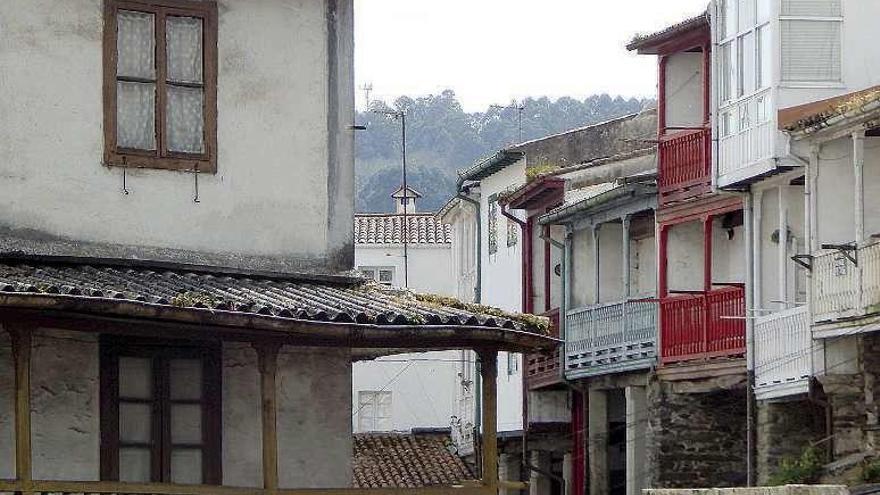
[112, 348]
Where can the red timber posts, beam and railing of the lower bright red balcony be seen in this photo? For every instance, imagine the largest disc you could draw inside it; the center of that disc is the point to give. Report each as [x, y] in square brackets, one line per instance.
[699, 324]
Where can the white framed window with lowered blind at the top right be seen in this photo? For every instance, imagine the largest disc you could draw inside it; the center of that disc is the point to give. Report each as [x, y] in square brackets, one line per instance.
[811, 38]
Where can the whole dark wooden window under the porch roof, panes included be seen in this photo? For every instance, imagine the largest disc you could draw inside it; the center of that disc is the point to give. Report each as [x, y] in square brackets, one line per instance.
[160, 413]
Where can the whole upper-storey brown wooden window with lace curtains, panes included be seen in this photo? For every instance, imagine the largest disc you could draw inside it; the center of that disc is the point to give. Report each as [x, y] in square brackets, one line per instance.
[160, 84]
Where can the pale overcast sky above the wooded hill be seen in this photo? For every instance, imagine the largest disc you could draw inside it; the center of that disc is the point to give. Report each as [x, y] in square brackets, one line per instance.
[493, 51]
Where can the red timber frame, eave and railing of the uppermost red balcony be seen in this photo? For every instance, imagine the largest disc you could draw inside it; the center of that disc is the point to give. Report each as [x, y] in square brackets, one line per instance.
[685, 154]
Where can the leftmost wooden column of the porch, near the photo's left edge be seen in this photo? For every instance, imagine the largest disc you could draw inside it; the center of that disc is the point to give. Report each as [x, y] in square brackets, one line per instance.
[21, 354]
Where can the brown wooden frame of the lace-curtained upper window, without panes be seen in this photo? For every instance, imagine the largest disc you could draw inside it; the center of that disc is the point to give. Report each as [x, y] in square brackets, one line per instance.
[160, 158]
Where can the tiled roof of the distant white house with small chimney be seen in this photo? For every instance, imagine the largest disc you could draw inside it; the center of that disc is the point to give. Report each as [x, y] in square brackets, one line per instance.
[388, 229]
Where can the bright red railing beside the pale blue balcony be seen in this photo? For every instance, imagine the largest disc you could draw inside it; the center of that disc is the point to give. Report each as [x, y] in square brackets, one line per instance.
[703, 324]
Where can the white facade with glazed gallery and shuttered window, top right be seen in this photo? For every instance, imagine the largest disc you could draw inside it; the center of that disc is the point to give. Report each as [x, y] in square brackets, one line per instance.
[777, 54]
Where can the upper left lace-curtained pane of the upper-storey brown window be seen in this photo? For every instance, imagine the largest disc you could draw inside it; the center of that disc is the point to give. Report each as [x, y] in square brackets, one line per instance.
[136, 45]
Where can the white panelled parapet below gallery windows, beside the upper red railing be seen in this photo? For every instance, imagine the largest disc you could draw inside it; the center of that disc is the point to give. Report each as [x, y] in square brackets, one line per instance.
[749, 128]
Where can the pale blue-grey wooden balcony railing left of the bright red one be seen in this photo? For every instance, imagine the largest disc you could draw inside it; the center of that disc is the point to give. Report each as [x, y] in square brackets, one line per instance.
[611, 338]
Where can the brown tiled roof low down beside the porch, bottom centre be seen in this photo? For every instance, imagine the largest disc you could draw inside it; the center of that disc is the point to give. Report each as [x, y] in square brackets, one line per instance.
[415, 460]
